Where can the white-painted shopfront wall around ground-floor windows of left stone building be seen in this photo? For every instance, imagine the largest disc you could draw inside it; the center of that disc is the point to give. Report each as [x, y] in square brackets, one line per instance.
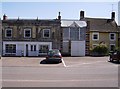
[22, 46]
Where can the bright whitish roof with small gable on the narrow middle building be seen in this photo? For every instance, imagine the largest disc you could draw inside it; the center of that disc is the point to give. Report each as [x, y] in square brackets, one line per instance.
[73, 23]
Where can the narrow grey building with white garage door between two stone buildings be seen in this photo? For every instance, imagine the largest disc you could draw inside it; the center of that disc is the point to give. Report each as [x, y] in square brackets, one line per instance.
[73, 37]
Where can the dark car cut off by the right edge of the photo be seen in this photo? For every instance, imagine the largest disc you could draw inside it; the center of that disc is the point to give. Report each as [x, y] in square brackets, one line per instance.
[114, 56]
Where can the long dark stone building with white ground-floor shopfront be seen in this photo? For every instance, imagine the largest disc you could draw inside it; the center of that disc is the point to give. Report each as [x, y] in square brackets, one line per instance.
[30, 37]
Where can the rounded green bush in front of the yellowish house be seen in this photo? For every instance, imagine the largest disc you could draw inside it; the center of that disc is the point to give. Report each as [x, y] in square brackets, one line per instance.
[100, 50]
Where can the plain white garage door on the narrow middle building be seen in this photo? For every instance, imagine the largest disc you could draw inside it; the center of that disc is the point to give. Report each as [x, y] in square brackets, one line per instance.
[77, 48]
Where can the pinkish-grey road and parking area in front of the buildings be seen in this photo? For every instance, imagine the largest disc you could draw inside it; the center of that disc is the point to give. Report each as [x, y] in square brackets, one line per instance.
[72, 72]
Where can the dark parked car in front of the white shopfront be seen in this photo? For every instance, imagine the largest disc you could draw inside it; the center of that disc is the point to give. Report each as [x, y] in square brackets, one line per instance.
[54, 55]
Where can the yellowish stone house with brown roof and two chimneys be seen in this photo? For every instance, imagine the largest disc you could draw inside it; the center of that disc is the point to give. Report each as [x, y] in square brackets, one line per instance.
[100, 30]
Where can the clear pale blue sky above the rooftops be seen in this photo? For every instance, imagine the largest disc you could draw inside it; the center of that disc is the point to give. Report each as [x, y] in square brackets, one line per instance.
[49, 10]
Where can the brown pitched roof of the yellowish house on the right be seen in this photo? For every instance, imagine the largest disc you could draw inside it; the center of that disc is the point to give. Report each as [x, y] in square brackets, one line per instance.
[102, 25]
